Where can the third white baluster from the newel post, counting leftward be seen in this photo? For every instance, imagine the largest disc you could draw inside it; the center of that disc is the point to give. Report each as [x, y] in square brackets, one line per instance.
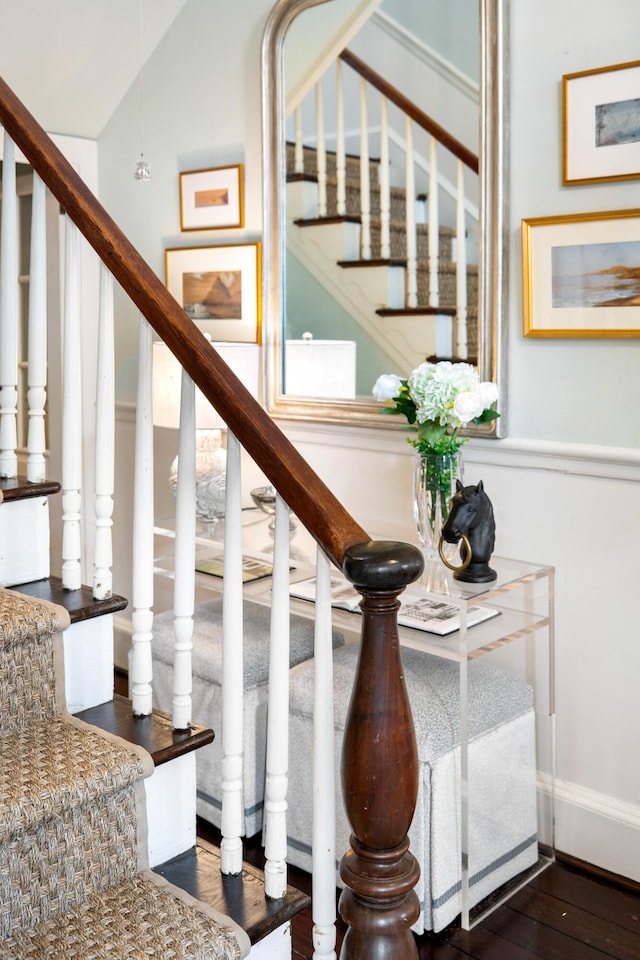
[232, 678]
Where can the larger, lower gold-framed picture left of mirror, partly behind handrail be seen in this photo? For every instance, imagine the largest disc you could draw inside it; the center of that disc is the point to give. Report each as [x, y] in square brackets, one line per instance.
[219, 286]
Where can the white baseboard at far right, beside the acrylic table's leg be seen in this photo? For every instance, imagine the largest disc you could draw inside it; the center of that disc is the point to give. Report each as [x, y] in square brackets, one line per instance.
[599, 829]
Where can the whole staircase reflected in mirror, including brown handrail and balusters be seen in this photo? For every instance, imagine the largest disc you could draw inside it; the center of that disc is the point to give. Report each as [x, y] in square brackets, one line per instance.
[398, 264]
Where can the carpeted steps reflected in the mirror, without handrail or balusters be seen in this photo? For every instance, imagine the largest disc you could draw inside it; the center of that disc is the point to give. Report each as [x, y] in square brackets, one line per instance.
[373, 290]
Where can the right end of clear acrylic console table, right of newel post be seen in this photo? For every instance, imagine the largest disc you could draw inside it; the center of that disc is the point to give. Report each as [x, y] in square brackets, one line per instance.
[519, 641]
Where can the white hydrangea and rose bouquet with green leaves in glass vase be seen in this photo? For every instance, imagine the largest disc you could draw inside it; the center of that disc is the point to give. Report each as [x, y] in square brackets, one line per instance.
[437, 399]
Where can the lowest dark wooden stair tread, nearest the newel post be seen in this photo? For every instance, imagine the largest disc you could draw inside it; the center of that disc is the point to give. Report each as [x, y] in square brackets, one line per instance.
[240, 897]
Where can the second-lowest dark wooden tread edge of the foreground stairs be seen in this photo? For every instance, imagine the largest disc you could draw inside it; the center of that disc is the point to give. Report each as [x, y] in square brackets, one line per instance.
[155, 732]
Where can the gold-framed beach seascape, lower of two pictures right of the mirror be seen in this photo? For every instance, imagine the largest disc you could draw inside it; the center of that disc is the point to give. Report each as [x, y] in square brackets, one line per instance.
[581, 275]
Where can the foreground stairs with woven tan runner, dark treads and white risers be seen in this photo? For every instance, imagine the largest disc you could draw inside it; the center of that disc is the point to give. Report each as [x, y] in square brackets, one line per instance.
[75, 802]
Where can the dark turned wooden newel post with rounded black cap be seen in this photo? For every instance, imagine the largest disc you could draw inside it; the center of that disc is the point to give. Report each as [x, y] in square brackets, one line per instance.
[380, 766]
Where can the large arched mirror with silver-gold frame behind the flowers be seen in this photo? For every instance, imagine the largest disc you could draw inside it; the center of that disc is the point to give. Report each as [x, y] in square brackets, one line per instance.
[298, 316]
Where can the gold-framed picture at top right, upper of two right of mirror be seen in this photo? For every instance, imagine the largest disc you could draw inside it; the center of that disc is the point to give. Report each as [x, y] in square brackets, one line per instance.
[601, 124]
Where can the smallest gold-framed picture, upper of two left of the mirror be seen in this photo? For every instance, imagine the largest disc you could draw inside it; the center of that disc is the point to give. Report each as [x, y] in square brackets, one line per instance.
[212, 199]
